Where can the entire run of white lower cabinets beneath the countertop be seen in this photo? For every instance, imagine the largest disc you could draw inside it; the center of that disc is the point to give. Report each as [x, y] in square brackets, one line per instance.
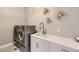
[40, 44]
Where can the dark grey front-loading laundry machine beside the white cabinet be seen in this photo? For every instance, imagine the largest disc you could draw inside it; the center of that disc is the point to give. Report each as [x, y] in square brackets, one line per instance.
[21, 37]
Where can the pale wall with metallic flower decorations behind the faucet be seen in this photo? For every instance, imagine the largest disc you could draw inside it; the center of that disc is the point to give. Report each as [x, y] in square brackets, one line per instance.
[68, 27]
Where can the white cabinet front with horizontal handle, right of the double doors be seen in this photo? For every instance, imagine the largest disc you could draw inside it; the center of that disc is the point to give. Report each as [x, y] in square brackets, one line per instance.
[54, 47]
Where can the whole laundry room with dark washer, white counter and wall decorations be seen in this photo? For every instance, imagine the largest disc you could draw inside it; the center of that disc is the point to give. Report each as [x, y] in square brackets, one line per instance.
[39, 29]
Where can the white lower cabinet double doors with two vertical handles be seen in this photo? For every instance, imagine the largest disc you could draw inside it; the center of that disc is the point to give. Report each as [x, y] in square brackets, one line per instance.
[38, 45]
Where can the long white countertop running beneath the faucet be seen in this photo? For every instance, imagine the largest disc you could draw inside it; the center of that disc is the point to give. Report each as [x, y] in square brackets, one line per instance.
[59, 40]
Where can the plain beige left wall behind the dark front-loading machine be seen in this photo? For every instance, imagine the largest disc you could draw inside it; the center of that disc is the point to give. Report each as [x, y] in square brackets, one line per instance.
[8, 18]
